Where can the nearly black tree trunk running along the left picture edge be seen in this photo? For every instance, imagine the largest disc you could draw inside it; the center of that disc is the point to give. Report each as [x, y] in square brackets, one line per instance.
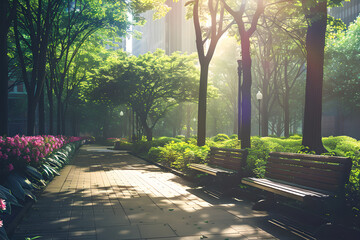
[4, 28]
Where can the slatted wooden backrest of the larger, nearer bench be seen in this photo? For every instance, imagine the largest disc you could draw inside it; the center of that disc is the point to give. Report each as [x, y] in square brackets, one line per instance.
[326, 173]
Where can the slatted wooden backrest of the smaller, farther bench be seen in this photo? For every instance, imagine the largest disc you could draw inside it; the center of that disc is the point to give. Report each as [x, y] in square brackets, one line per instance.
[233, 159]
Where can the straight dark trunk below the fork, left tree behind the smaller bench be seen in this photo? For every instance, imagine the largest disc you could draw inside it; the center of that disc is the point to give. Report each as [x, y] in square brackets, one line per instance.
[201, 131]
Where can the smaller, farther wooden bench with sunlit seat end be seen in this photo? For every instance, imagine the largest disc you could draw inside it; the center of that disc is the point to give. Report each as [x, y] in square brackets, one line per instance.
[223, 162]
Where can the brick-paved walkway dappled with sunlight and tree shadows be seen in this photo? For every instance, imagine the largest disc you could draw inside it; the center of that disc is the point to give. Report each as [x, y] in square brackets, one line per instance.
[108, 195]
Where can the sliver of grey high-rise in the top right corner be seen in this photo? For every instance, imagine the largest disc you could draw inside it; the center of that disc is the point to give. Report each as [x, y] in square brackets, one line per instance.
[348, 12]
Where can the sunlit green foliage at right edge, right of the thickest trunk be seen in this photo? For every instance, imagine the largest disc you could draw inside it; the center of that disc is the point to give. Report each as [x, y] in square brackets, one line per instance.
[341, 69]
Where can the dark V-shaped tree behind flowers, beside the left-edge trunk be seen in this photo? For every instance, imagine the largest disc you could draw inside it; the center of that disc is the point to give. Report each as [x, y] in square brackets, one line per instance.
[32, 27]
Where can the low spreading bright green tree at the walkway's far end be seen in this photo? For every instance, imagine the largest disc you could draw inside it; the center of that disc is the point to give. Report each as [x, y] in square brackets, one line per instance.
[161, 82]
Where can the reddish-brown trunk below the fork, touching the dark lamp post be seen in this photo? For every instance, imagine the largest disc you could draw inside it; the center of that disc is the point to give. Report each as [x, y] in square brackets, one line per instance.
[246, 92]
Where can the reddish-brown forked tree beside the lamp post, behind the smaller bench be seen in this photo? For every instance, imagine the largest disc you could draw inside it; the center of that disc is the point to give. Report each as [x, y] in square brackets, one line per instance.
[245, 35]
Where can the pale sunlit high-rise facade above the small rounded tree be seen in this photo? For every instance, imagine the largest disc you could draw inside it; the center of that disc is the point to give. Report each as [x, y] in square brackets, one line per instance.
[170, 33]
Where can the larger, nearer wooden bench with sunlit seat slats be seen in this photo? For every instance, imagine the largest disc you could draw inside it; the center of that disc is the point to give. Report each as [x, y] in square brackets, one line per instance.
[303, 177]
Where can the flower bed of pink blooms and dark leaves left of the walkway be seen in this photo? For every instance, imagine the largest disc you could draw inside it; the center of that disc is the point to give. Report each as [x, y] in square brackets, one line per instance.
[28, 163]
